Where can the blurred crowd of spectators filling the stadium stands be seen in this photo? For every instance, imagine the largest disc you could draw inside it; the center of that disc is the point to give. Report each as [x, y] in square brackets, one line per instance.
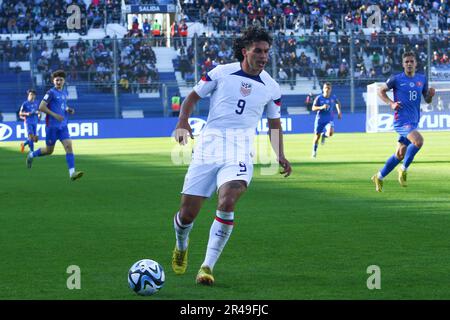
[312, 38]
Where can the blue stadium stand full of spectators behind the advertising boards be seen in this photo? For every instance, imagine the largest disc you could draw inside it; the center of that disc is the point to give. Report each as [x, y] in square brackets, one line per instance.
[115, 70]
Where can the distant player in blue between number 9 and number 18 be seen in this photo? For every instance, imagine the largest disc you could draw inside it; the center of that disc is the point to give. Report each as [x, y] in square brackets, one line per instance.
[324, 104]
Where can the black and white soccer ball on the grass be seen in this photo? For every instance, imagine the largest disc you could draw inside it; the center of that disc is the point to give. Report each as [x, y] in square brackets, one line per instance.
[146, 277]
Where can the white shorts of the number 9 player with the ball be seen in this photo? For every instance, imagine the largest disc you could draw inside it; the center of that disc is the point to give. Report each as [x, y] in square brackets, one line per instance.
[202, 179]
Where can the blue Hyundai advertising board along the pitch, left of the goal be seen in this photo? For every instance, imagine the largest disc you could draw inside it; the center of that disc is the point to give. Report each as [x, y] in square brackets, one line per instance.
[164, 127]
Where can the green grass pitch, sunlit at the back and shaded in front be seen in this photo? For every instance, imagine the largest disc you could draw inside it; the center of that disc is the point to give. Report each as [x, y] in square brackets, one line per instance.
[310, 236]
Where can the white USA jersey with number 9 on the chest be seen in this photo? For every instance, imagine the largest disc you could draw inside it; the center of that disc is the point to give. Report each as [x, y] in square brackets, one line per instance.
[237, 104]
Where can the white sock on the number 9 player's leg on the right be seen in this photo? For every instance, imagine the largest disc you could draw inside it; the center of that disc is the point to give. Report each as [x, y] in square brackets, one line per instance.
[218, 236]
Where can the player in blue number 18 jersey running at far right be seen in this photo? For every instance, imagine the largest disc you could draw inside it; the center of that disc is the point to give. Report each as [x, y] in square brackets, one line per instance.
[408, 87]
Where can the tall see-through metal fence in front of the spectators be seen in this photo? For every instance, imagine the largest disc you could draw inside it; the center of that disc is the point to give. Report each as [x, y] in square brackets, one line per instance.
[127, 66]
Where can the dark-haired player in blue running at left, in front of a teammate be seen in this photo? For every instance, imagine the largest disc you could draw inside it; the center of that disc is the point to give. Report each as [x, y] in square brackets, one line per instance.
[54, 105]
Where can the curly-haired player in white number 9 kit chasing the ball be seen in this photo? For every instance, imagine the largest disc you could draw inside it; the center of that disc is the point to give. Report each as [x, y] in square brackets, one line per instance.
[222, 157]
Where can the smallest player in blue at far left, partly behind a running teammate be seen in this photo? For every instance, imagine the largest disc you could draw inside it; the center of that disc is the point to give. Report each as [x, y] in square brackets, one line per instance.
[29, 112]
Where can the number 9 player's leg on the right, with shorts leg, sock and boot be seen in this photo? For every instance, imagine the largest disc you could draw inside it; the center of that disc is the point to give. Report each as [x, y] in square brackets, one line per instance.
[229, 192]
